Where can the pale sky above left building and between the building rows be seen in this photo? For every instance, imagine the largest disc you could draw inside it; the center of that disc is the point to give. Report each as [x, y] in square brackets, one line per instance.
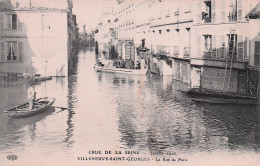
[88, 11]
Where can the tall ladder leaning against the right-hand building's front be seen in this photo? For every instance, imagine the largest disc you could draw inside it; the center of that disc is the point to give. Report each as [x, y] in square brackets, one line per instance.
[231, 51]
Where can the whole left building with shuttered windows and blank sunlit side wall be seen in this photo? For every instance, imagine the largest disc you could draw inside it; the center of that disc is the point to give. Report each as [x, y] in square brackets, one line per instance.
[37, 40]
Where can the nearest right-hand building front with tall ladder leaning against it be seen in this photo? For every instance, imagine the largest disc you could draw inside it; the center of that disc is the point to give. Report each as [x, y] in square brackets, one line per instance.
[221, 47]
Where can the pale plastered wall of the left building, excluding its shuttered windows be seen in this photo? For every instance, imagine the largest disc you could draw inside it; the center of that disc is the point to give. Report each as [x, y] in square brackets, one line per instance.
[44, 40]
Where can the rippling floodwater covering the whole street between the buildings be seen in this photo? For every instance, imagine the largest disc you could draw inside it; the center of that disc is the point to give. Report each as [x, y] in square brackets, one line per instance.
[108, 111]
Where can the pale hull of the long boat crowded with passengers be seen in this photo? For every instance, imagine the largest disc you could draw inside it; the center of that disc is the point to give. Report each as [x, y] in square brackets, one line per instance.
[99, 68]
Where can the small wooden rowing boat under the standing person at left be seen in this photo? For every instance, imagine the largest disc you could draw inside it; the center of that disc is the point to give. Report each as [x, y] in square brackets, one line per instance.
[22, 110]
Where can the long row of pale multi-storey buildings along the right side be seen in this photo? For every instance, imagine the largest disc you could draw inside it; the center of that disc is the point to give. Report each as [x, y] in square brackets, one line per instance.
[211, 46]
